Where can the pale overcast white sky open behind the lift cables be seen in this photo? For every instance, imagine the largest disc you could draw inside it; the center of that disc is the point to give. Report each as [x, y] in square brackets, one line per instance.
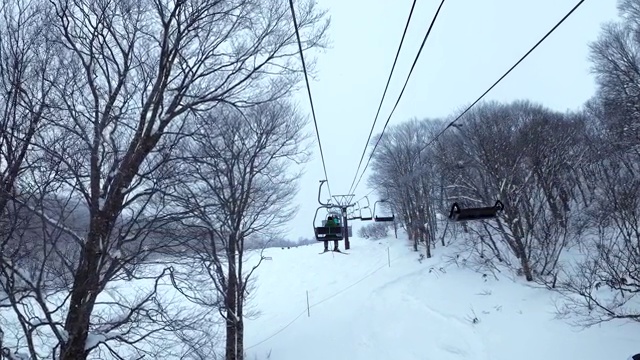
[471, 45]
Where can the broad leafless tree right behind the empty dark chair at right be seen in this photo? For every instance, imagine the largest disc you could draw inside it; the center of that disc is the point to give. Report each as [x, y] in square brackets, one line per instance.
[528, 157]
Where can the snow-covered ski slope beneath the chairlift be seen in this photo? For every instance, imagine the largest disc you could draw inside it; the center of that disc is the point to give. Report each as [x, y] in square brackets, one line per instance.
[362, 308]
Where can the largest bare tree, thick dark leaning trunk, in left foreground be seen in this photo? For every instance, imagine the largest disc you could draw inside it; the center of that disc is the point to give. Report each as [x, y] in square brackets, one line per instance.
[131, 77]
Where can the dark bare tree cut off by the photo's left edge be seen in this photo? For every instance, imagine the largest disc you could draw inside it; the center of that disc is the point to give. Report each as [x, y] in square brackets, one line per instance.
[27, 67]
